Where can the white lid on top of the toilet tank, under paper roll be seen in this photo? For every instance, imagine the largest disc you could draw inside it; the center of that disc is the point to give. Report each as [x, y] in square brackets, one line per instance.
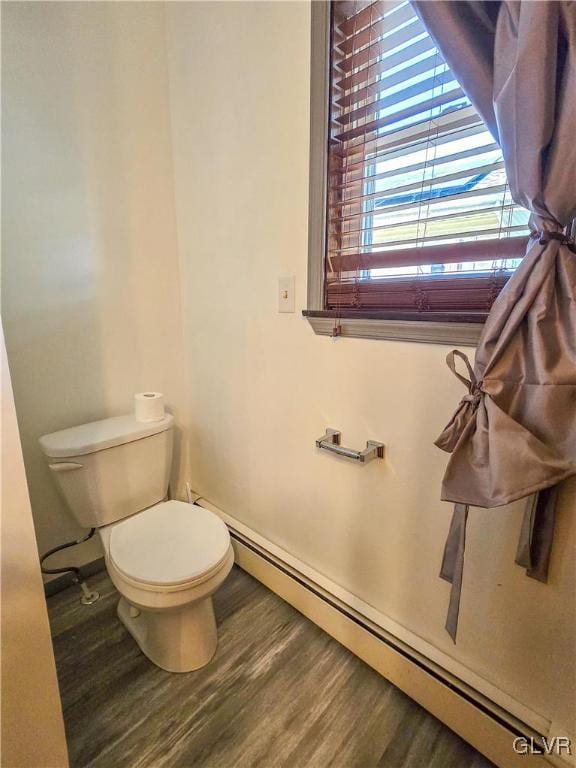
[99, 435]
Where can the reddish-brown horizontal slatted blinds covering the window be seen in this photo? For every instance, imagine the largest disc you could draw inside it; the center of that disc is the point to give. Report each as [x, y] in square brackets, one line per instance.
[419, 215]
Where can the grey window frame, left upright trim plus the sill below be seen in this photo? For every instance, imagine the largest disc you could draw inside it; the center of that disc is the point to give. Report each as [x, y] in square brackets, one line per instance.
[367, 324]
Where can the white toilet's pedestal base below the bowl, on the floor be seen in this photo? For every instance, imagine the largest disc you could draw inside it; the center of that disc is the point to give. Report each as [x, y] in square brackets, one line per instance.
[179, 640]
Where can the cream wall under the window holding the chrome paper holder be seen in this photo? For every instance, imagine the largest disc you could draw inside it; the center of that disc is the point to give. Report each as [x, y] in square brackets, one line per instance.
[263, 387]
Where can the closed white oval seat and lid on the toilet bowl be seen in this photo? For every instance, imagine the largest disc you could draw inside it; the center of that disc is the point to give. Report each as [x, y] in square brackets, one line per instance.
[169, 546]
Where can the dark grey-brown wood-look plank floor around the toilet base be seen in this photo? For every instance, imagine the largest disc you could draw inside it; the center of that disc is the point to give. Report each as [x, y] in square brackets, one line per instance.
[280, 692]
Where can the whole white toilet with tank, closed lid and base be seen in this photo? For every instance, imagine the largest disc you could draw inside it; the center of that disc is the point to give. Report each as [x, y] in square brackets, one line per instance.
[165, 558]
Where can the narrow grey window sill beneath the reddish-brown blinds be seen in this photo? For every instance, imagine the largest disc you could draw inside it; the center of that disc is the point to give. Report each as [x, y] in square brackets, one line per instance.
[421, 331]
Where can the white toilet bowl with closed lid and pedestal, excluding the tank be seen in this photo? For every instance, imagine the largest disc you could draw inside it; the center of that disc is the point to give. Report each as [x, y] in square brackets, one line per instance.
[167, 562]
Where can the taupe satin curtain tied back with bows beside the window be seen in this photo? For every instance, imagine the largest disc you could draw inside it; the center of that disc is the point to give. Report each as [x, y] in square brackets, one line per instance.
[514, 432]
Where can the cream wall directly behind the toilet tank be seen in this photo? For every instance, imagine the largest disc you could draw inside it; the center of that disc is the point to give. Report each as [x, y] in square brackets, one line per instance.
[90, 278]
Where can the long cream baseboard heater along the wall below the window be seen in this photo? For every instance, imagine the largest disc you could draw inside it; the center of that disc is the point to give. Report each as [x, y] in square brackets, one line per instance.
[479, 721]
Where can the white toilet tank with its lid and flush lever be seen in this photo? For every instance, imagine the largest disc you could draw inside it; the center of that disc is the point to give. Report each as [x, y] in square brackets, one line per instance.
[110, 469]
